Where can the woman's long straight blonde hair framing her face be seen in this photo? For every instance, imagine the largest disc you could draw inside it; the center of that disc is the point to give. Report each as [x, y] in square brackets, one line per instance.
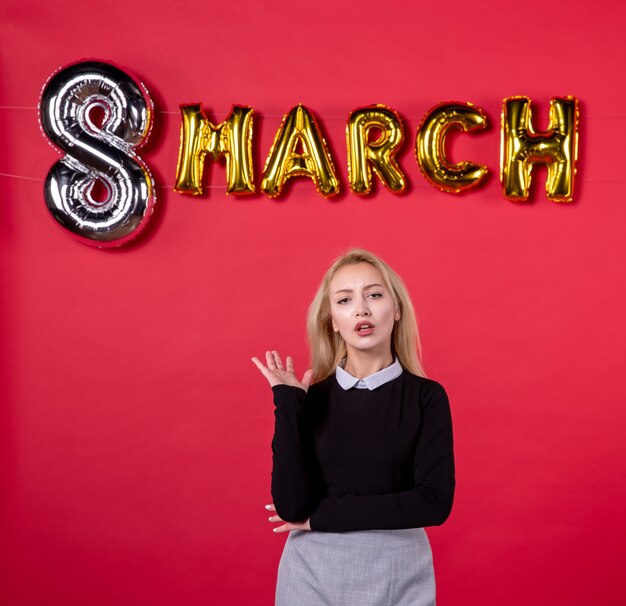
[328, 347]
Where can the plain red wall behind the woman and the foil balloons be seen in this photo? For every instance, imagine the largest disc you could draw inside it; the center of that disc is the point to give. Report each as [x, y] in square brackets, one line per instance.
[135, 430]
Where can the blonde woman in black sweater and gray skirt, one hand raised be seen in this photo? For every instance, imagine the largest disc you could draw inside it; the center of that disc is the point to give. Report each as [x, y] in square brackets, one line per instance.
[362, 448]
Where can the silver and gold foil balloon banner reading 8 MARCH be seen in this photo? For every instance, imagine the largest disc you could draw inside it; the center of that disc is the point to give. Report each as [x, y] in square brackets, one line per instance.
[106, 153]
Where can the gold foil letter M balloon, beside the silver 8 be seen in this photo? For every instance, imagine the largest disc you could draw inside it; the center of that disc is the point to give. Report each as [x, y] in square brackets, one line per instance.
[231, 139]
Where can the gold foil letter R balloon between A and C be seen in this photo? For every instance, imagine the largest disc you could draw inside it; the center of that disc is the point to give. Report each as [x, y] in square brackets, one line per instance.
[365, 155]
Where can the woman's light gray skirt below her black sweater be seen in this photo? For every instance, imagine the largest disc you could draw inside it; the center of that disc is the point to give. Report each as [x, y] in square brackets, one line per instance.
[364, 568]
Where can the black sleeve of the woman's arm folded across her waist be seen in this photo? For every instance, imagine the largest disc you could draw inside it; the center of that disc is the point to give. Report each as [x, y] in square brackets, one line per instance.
[428, 504]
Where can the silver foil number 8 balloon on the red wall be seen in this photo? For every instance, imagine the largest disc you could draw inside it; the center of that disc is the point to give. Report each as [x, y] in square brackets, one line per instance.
[98, 152]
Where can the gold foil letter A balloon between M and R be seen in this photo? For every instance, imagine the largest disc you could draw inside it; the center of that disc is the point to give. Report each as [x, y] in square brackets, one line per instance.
[299, 149]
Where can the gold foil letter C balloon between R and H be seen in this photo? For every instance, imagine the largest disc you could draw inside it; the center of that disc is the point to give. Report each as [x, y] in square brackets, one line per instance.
[430, 149]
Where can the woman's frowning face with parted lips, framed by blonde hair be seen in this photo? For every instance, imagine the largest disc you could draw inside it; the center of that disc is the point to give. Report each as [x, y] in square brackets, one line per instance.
[362, 309]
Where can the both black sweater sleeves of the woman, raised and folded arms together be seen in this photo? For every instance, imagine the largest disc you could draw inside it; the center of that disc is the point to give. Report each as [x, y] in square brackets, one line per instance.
[297, 489]
